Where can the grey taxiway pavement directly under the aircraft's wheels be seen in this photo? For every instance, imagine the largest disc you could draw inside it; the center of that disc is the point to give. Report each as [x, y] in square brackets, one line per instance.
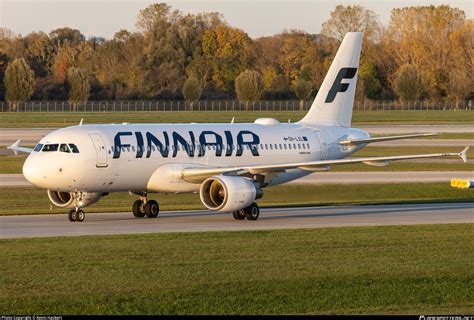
[270, 218]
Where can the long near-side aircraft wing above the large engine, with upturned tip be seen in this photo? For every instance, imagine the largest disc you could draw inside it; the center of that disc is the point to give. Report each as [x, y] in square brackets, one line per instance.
[197, 175]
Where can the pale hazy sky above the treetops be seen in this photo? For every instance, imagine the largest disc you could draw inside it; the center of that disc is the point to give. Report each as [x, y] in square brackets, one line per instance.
[257, 17]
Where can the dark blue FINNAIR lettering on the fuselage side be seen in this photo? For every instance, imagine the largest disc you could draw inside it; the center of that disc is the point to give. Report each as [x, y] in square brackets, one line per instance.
[223, 145]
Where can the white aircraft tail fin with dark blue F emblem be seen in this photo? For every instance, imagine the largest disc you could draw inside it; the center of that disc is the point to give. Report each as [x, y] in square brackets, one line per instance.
[334, 101]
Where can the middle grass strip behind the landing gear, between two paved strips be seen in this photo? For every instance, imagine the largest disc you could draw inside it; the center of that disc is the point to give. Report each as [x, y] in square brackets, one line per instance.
[286, 195]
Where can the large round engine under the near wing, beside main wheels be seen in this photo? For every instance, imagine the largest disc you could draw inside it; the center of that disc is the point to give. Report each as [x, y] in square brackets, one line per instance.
[226, 193]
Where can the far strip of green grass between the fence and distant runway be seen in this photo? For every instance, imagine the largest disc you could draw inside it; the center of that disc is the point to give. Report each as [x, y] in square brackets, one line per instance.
[26, 119]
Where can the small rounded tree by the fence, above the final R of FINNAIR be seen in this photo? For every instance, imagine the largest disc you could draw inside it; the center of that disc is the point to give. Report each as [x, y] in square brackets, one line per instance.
[249, 86]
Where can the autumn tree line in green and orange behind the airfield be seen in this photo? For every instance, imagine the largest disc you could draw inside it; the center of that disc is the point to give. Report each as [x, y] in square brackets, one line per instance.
[425, 52]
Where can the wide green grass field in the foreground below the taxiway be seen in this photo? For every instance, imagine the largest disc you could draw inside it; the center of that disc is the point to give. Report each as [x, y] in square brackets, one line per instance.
[424, 269]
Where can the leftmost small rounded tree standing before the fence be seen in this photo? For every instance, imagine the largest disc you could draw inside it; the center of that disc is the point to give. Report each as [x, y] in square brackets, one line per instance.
[19, 82]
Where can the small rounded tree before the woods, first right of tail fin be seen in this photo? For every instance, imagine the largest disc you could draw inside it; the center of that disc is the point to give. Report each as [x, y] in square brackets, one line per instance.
[409, 83]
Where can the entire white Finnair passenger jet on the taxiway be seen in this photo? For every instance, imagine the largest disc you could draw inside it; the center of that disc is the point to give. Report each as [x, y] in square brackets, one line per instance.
[229, 164]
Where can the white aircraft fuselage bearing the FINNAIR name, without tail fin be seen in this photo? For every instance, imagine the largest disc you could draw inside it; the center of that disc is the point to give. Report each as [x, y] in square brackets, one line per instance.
[150, 157]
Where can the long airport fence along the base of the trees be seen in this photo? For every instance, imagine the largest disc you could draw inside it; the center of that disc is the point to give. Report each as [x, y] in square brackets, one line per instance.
[219, 105]
